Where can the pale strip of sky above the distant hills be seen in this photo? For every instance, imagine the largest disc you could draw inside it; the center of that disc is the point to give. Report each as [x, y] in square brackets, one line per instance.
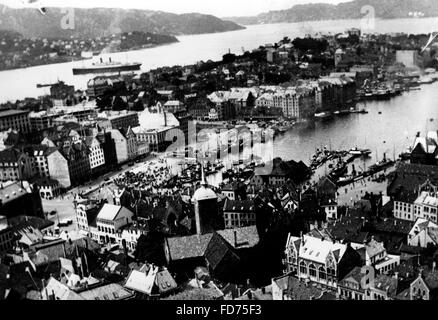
[219, 8]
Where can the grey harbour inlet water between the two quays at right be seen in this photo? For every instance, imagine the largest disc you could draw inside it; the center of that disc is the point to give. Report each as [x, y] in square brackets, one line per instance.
[390, 132]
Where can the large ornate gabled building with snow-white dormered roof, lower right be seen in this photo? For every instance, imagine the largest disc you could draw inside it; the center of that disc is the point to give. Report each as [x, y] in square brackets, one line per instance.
[320, 260]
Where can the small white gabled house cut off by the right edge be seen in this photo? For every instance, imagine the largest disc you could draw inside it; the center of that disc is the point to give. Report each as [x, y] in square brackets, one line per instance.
[423, 233]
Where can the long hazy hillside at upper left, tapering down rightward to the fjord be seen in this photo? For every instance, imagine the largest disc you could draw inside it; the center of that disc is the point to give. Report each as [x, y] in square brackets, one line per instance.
[97, 22]
